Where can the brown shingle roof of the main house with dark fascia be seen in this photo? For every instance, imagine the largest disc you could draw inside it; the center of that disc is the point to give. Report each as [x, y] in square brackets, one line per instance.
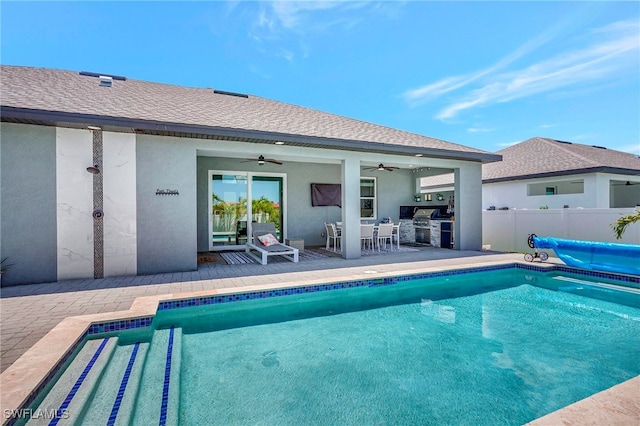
[67, 98]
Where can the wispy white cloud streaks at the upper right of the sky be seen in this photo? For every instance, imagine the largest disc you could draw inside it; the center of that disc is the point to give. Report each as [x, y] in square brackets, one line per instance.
[614, 51]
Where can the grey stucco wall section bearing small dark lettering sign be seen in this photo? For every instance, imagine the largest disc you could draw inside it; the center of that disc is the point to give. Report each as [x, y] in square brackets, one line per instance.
[166, 227]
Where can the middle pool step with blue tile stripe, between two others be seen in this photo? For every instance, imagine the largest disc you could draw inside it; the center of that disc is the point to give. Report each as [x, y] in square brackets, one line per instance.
[114, 399]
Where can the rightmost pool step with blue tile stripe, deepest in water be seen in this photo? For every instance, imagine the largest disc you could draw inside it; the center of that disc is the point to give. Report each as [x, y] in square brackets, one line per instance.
[159, 393]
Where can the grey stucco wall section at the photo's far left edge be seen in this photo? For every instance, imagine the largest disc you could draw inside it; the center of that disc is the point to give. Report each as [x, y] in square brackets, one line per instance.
[28, 207]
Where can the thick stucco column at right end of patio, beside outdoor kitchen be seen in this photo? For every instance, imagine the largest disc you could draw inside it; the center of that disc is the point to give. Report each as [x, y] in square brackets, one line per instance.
[468, 206]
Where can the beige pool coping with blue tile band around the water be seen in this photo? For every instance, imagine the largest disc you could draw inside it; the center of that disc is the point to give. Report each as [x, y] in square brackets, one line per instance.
[26, 377]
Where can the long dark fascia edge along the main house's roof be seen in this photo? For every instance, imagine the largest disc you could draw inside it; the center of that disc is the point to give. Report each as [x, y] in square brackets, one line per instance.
[54, 117]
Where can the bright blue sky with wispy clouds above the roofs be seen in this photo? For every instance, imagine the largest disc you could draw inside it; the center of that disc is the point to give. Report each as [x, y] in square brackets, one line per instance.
[482, 74]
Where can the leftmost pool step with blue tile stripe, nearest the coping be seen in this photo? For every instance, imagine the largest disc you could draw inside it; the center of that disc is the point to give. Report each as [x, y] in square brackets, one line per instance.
[74, 388]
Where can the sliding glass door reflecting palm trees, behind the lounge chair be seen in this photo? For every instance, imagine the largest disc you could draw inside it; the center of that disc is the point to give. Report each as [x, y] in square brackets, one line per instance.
[230, 213]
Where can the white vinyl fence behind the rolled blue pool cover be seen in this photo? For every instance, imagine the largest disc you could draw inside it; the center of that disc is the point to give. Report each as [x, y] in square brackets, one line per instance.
[508, 230]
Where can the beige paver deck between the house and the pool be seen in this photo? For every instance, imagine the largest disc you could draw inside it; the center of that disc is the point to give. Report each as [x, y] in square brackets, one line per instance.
[29, 312]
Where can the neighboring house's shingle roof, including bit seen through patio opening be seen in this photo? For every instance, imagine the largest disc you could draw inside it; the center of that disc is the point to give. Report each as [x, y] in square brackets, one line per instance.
[542, 157]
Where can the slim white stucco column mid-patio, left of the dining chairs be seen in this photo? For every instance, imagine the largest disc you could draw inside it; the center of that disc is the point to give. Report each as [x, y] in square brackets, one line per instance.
[351, 208]
